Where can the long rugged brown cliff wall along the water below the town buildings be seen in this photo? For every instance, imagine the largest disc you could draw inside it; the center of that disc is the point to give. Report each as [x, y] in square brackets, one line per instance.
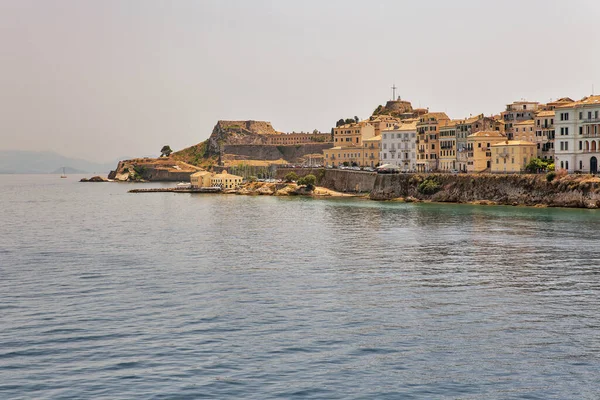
[576, 191]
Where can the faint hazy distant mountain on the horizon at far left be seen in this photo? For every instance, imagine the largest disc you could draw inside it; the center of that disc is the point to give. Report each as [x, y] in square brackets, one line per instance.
[46, 162]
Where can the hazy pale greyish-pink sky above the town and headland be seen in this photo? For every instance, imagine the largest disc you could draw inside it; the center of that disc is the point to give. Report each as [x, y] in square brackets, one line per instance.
[106, 79]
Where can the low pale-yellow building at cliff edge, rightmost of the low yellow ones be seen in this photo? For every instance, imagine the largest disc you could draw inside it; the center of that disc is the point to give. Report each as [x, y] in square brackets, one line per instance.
[512, 156]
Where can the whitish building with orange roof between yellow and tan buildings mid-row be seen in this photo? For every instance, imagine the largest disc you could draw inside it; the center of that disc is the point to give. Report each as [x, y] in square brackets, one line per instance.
[398, 145]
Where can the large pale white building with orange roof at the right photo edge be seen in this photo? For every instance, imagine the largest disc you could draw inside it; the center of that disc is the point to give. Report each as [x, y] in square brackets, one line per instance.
[577, 143]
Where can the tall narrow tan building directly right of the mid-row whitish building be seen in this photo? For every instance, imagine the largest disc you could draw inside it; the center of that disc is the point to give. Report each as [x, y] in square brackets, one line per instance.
[428, 129]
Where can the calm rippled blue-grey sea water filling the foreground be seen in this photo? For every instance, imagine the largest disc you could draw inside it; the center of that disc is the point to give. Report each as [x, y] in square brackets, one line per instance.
[105, 294]
